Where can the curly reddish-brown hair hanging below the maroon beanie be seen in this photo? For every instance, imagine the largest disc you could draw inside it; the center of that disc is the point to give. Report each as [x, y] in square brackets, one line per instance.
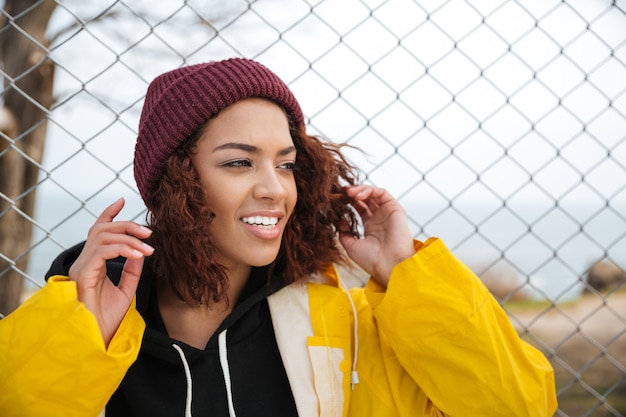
[185, 255]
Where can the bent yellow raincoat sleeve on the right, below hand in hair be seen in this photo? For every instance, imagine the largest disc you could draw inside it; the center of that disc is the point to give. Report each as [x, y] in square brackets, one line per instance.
[456, 342]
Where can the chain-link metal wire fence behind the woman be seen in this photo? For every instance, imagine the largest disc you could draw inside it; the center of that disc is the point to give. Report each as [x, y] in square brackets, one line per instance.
[500, 125]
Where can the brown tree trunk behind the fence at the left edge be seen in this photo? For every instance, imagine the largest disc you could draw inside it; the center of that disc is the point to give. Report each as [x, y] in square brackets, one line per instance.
[27, 96]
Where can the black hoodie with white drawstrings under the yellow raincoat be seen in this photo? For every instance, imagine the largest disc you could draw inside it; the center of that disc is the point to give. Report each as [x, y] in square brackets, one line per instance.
[157, 383]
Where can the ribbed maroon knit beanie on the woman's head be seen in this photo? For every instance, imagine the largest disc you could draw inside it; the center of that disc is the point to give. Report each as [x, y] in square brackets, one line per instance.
[178, 102]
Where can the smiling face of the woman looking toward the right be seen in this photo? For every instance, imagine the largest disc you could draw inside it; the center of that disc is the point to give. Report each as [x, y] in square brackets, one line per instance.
[245, 159]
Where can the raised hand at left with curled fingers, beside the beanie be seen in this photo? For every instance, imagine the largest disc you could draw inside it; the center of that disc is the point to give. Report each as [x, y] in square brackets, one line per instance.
[108, 240]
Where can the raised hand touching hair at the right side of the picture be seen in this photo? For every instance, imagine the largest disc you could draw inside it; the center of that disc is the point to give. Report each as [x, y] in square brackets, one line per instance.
[387, 239]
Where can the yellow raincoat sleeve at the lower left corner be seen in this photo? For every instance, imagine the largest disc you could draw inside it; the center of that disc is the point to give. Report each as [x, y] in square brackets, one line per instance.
[53, 361]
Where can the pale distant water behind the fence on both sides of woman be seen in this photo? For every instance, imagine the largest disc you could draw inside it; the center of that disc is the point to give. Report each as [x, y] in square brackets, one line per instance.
[552, 258]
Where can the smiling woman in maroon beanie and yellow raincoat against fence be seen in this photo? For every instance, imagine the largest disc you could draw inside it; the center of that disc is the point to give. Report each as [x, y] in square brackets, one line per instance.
[228, 302]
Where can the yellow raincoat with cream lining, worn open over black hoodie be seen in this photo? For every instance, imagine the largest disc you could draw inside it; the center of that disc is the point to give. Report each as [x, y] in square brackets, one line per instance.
[434, 343]
